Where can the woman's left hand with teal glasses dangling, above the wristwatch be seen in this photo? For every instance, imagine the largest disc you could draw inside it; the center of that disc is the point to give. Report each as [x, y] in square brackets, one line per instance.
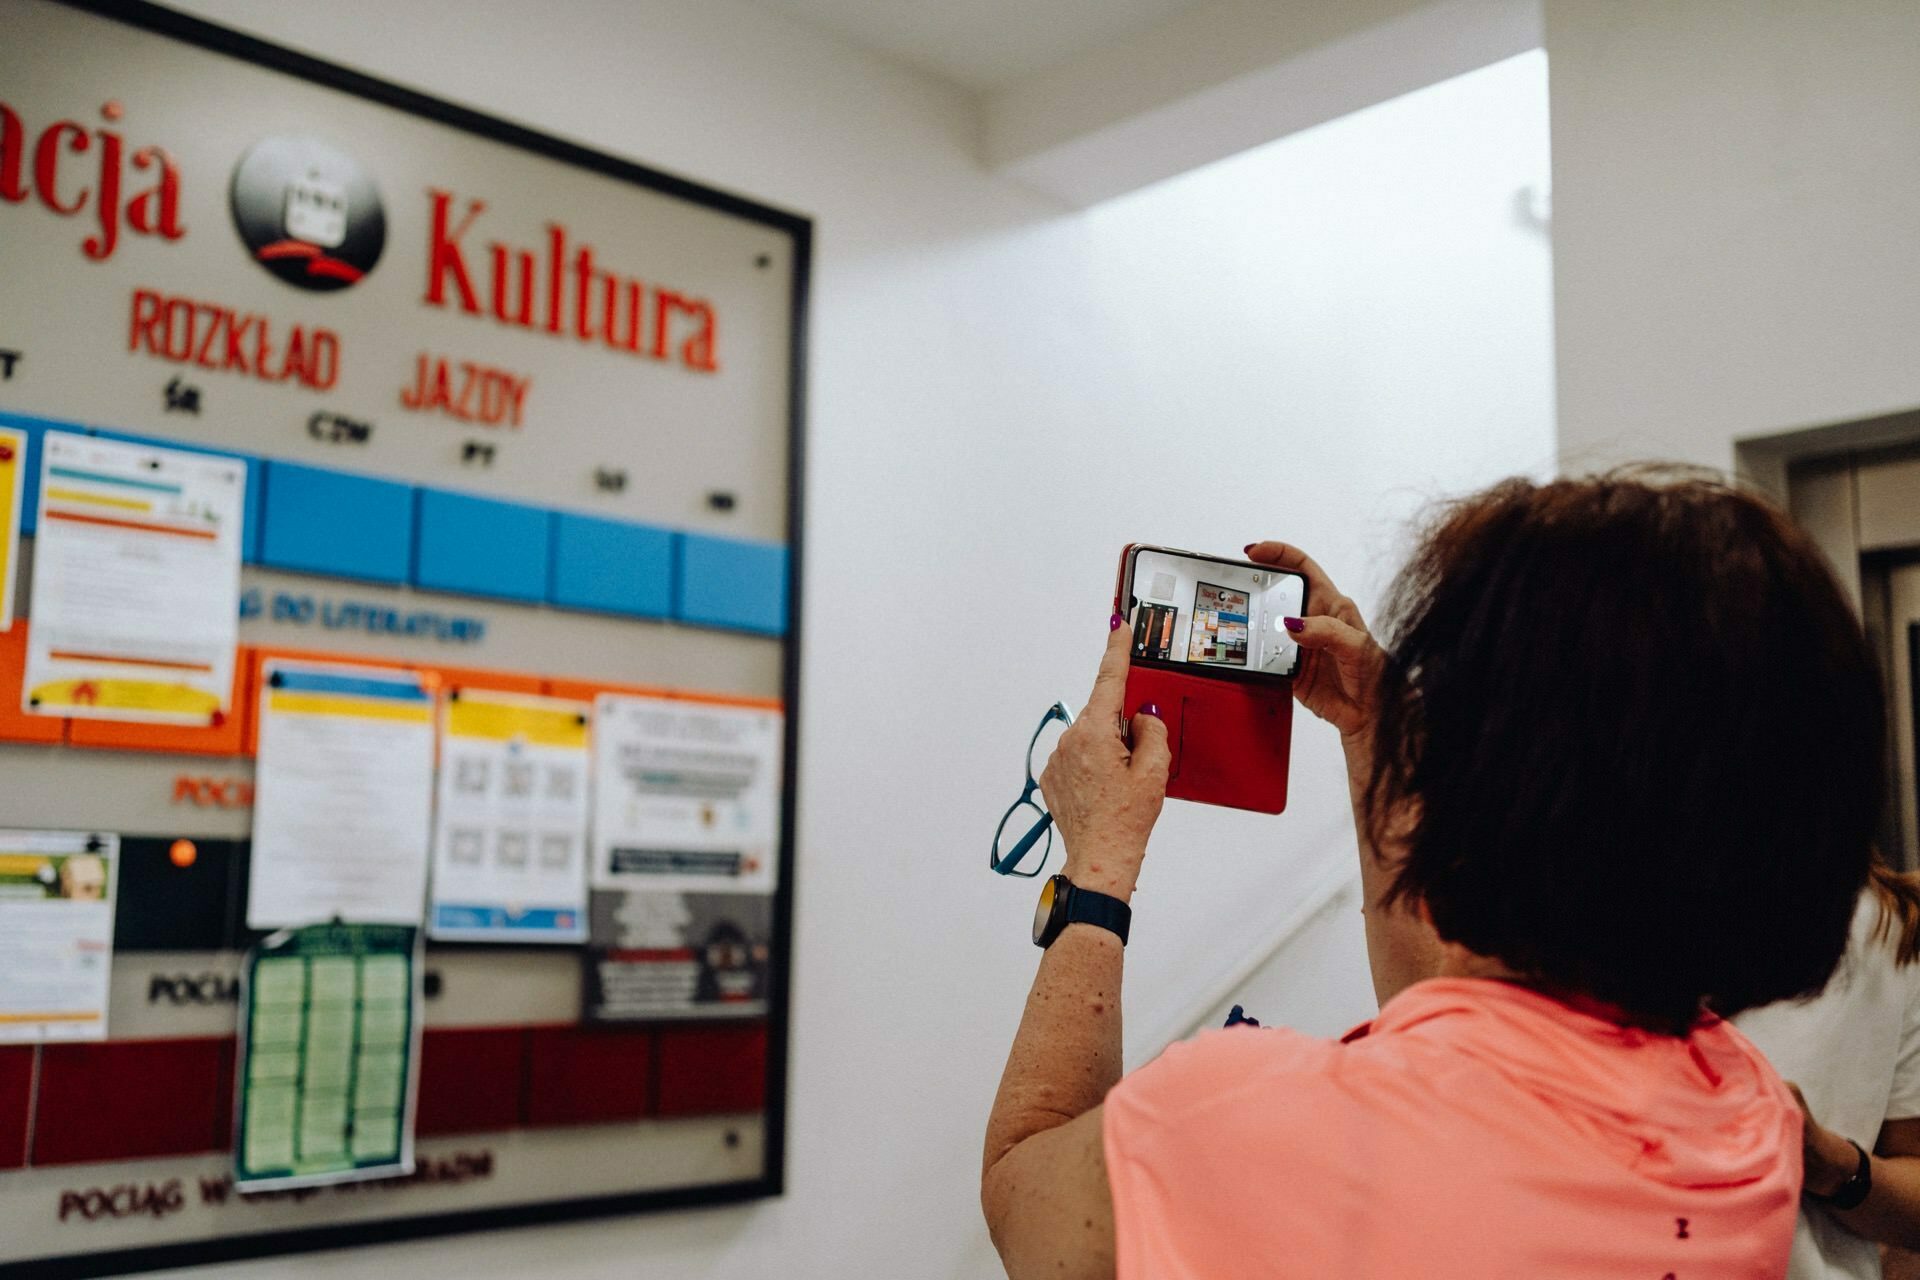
[1105, 797]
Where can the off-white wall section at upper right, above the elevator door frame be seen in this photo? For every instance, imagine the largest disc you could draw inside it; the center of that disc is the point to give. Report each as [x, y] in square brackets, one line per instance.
[1737, 220]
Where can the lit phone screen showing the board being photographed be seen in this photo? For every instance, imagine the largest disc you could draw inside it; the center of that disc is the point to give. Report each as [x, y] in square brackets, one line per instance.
[1220, 617]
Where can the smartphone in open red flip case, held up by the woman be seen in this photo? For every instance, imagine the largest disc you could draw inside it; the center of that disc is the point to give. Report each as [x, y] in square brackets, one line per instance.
[1212, 653]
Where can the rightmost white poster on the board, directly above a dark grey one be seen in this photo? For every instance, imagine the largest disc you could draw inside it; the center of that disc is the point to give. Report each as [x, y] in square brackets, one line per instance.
[686, 795]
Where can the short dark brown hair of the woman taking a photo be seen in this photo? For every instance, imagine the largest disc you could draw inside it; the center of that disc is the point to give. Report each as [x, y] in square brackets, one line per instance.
[1631, 744]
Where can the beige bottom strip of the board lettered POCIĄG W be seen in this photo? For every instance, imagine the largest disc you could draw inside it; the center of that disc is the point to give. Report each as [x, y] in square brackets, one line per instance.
[141, 1204]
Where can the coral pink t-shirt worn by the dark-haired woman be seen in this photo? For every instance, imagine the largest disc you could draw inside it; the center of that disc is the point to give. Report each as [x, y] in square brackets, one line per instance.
[1474, 1131]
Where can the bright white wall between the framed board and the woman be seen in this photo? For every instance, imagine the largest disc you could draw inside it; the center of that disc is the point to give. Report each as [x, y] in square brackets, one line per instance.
[1303, 343]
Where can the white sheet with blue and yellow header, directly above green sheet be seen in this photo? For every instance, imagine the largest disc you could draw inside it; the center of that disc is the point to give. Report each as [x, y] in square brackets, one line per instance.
[343, 795]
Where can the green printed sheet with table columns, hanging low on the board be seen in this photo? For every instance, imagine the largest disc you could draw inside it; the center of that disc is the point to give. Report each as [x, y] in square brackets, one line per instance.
[331, 1033]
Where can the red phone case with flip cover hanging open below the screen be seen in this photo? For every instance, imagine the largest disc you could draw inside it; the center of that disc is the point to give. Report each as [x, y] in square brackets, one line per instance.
[1232, 740]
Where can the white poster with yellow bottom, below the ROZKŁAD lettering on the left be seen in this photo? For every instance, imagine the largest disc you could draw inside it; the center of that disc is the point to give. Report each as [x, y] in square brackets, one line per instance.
[135, 582]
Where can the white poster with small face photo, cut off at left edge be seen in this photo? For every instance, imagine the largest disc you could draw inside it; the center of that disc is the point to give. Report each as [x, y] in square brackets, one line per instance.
[57, 934]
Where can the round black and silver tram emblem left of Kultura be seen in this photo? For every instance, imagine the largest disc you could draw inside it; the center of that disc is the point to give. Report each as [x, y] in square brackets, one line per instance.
[308, 212]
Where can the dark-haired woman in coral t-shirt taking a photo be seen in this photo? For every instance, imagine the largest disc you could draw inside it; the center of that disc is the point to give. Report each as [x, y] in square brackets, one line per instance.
[1620, 730]
